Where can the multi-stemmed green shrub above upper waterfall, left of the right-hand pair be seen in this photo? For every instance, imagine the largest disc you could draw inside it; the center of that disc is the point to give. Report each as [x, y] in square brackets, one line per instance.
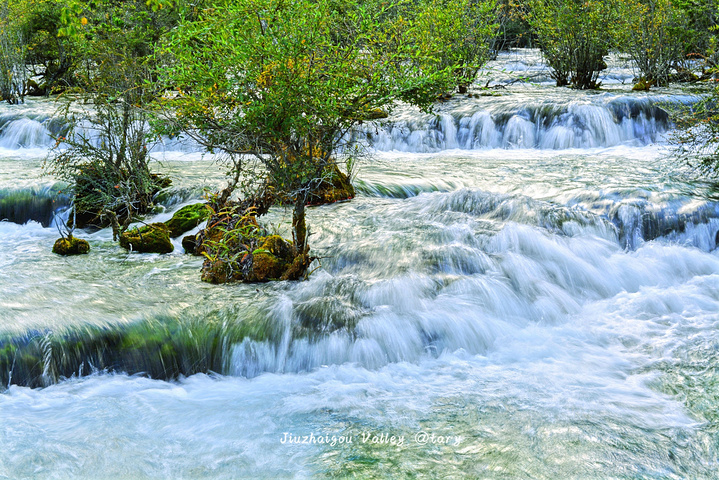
[574, 36]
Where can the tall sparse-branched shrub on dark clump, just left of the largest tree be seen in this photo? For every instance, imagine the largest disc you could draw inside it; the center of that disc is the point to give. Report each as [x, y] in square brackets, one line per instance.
[105, 153]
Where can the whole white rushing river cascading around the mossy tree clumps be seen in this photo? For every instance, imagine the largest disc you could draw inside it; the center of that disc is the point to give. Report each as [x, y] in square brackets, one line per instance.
[526, 286]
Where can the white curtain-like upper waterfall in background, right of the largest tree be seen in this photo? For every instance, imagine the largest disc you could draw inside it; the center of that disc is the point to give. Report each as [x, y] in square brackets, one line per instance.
[478, 124]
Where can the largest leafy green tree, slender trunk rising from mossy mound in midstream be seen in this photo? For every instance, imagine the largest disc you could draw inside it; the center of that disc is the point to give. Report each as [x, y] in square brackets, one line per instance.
[278, 86]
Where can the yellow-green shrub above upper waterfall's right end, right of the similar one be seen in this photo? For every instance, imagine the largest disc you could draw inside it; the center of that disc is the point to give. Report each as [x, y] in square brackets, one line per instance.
[653, 33]
